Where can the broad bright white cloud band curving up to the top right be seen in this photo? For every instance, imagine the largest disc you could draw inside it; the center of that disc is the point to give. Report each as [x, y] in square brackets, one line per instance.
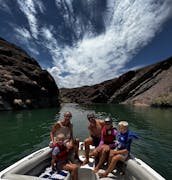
[131, 25]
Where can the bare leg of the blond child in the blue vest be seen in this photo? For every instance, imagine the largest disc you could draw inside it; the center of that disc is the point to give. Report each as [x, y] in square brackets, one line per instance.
[112, 165]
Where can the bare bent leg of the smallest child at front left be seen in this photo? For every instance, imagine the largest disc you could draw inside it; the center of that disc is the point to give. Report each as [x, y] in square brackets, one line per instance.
[73, 168]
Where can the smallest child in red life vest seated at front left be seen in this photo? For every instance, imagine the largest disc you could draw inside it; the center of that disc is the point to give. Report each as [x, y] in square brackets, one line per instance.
[60, 160]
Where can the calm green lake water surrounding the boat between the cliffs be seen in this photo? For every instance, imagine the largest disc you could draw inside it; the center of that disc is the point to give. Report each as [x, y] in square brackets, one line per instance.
[26, 131]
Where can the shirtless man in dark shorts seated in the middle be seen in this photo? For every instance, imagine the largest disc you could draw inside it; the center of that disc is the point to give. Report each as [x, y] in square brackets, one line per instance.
[94, 127]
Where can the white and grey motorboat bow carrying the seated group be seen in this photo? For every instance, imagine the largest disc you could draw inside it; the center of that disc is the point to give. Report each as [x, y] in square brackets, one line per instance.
[35, 165]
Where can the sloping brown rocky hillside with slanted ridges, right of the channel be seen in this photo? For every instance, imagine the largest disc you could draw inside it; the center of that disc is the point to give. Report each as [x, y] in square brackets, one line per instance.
[151, 85]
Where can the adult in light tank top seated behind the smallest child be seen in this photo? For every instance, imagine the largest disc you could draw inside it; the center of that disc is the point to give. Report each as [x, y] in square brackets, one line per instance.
[65, 127]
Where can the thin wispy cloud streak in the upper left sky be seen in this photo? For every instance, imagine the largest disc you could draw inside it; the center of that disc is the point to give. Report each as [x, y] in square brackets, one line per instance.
[29, 36]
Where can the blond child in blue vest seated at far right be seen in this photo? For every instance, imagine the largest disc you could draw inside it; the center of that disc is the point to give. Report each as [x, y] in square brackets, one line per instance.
[120, 153]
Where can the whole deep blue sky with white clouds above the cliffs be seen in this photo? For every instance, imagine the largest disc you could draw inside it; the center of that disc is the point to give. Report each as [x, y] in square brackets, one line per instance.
[85, 42]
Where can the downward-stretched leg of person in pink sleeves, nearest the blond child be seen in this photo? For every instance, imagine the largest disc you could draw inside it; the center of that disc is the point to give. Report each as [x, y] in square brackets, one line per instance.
[103, 156]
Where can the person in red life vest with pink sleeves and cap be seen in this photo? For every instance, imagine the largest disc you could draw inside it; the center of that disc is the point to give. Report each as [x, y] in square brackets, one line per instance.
[108, 136]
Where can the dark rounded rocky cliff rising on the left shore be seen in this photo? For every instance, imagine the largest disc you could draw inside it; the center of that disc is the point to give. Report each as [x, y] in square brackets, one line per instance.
[23, 84]
